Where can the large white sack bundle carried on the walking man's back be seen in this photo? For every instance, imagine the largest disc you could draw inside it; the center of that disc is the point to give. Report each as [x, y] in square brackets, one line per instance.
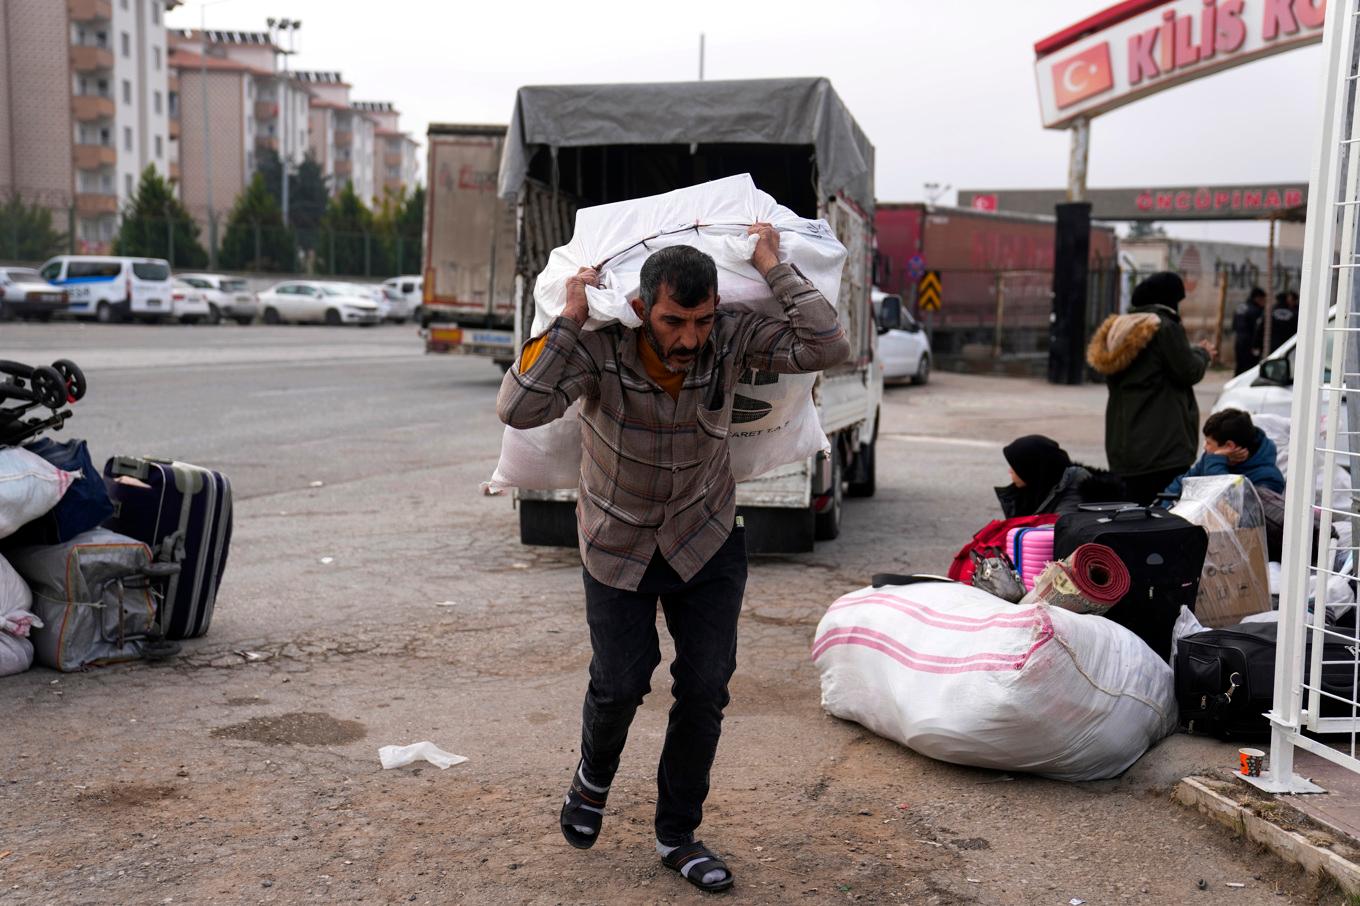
[617, 239]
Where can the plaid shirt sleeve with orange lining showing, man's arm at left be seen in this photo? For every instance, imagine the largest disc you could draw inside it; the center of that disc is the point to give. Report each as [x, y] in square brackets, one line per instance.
[562, 372]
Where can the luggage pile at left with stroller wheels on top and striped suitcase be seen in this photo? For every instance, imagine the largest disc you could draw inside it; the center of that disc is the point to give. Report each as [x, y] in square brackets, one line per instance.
[97, 568]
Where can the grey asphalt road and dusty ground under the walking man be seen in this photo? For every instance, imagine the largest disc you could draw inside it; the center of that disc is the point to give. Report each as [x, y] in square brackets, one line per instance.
[375, 598]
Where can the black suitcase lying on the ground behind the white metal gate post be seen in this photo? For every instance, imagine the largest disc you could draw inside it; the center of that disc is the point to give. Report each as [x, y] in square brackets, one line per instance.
[1226, 681]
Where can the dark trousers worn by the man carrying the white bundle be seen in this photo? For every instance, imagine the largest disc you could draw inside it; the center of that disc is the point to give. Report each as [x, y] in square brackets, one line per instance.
[702, 620]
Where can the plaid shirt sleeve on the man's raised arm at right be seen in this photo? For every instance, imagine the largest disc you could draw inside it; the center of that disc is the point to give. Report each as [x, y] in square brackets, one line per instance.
[810, 341]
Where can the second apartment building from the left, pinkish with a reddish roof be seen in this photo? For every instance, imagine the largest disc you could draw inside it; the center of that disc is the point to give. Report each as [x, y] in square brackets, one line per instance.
[233, 104]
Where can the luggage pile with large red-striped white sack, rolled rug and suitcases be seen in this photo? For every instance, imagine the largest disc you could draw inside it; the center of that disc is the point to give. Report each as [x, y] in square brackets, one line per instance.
[1068, 645]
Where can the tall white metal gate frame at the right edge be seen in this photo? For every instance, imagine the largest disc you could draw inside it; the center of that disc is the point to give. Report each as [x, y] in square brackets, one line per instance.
[1323, 447]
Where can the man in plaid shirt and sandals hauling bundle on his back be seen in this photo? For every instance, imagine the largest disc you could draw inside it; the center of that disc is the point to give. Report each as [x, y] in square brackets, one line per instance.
[658, 509]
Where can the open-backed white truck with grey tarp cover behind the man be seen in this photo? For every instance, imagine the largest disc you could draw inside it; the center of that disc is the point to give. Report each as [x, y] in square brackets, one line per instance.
[580, 146]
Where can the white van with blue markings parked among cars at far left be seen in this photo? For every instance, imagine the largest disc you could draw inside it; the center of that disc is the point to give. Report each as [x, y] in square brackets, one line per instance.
[114, 289]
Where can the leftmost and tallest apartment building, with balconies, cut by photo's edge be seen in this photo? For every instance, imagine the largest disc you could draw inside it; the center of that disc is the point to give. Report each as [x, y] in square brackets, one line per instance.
[85, 107]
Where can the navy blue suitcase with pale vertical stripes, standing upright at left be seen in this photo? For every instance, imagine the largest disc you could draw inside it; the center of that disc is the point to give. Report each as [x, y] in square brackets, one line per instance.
[184, 515]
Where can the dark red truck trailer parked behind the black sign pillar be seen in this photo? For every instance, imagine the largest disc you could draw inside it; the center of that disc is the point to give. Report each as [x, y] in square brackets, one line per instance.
[996, 273]
